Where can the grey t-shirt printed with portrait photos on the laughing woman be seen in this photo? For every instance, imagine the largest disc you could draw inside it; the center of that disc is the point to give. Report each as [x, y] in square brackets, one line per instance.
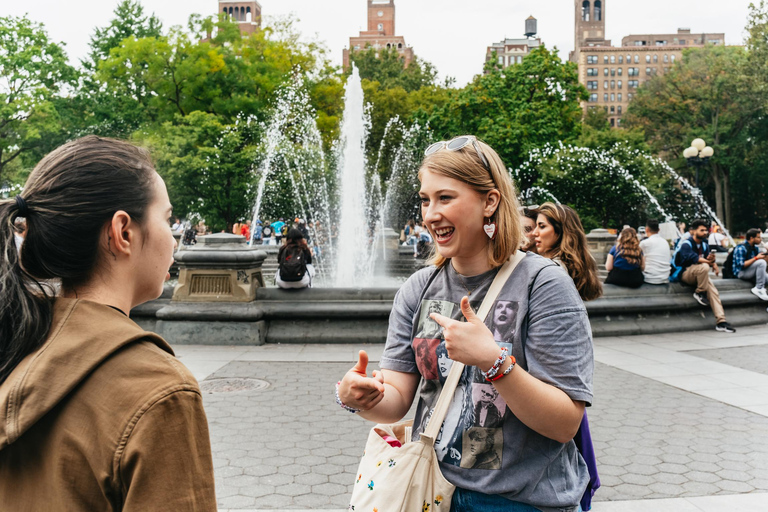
[482, 446]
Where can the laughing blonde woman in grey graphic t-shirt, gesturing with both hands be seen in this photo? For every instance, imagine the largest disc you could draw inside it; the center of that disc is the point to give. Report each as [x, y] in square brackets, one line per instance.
[470, 208]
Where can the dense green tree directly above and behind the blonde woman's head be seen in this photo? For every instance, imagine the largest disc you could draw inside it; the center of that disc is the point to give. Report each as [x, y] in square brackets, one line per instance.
[517, 109]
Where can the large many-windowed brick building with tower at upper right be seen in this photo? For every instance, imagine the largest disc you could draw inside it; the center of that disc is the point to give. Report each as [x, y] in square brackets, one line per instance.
[612, 74]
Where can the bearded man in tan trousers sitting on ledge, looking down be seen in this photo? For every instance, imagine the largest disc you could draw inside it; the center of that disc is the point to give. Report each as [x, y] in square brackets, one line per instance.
[696, 258]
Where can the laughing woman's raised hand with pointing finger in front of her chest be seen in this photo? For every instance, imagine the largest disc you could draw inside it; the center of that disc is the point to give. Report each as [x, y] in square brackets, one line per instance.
[469, 342]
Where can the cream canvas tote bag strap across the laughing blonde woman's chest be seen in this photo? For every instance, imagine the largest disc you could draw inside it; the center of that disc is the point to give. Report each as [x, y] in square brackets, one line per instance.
[457, 368]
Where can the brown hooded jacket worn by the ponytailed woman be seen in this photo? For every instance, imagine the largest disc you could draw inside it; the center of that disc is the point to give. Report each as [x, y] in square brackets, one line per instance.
[103, 417]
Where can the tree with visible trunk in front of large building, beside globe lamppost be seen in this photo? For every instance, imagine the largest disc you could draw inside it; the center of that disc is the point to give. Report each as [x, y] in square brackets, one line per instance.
[701, 96]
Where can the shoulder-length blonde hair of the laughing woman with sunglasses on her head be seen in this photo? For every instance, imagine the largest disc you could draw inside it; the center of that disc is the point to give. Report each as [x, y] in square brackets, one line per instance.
[466, 166]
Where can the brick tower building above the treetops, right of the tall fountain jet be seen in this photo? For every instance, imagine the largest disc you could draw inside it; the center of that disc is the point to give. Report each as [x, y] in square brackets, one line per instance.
[380, 33]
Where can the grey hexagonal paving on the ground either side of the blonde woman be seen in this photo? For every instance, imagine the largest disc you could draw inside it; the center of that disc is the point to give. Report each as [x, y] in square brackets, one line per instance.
[291, 447]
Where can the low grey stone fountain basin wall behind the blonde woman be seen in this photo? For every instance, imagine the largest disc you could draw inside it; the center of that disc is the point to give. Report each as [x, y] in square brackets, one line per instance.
[347, 315]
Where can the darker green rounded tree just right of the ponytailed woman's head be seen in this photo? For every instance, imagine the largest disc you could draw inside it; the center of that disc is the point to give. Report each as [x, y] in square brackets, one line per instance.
[207, 166]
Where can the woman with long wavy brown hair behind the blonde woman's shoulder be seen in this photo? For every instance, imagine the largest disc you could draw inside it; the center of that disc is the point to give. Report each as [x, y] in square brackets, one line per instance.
[560, 237]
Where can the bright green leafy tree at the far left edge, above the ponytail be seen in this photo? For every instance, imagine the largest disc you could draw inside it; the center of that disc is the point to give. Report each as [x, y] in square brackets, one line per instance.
[33, 70]
